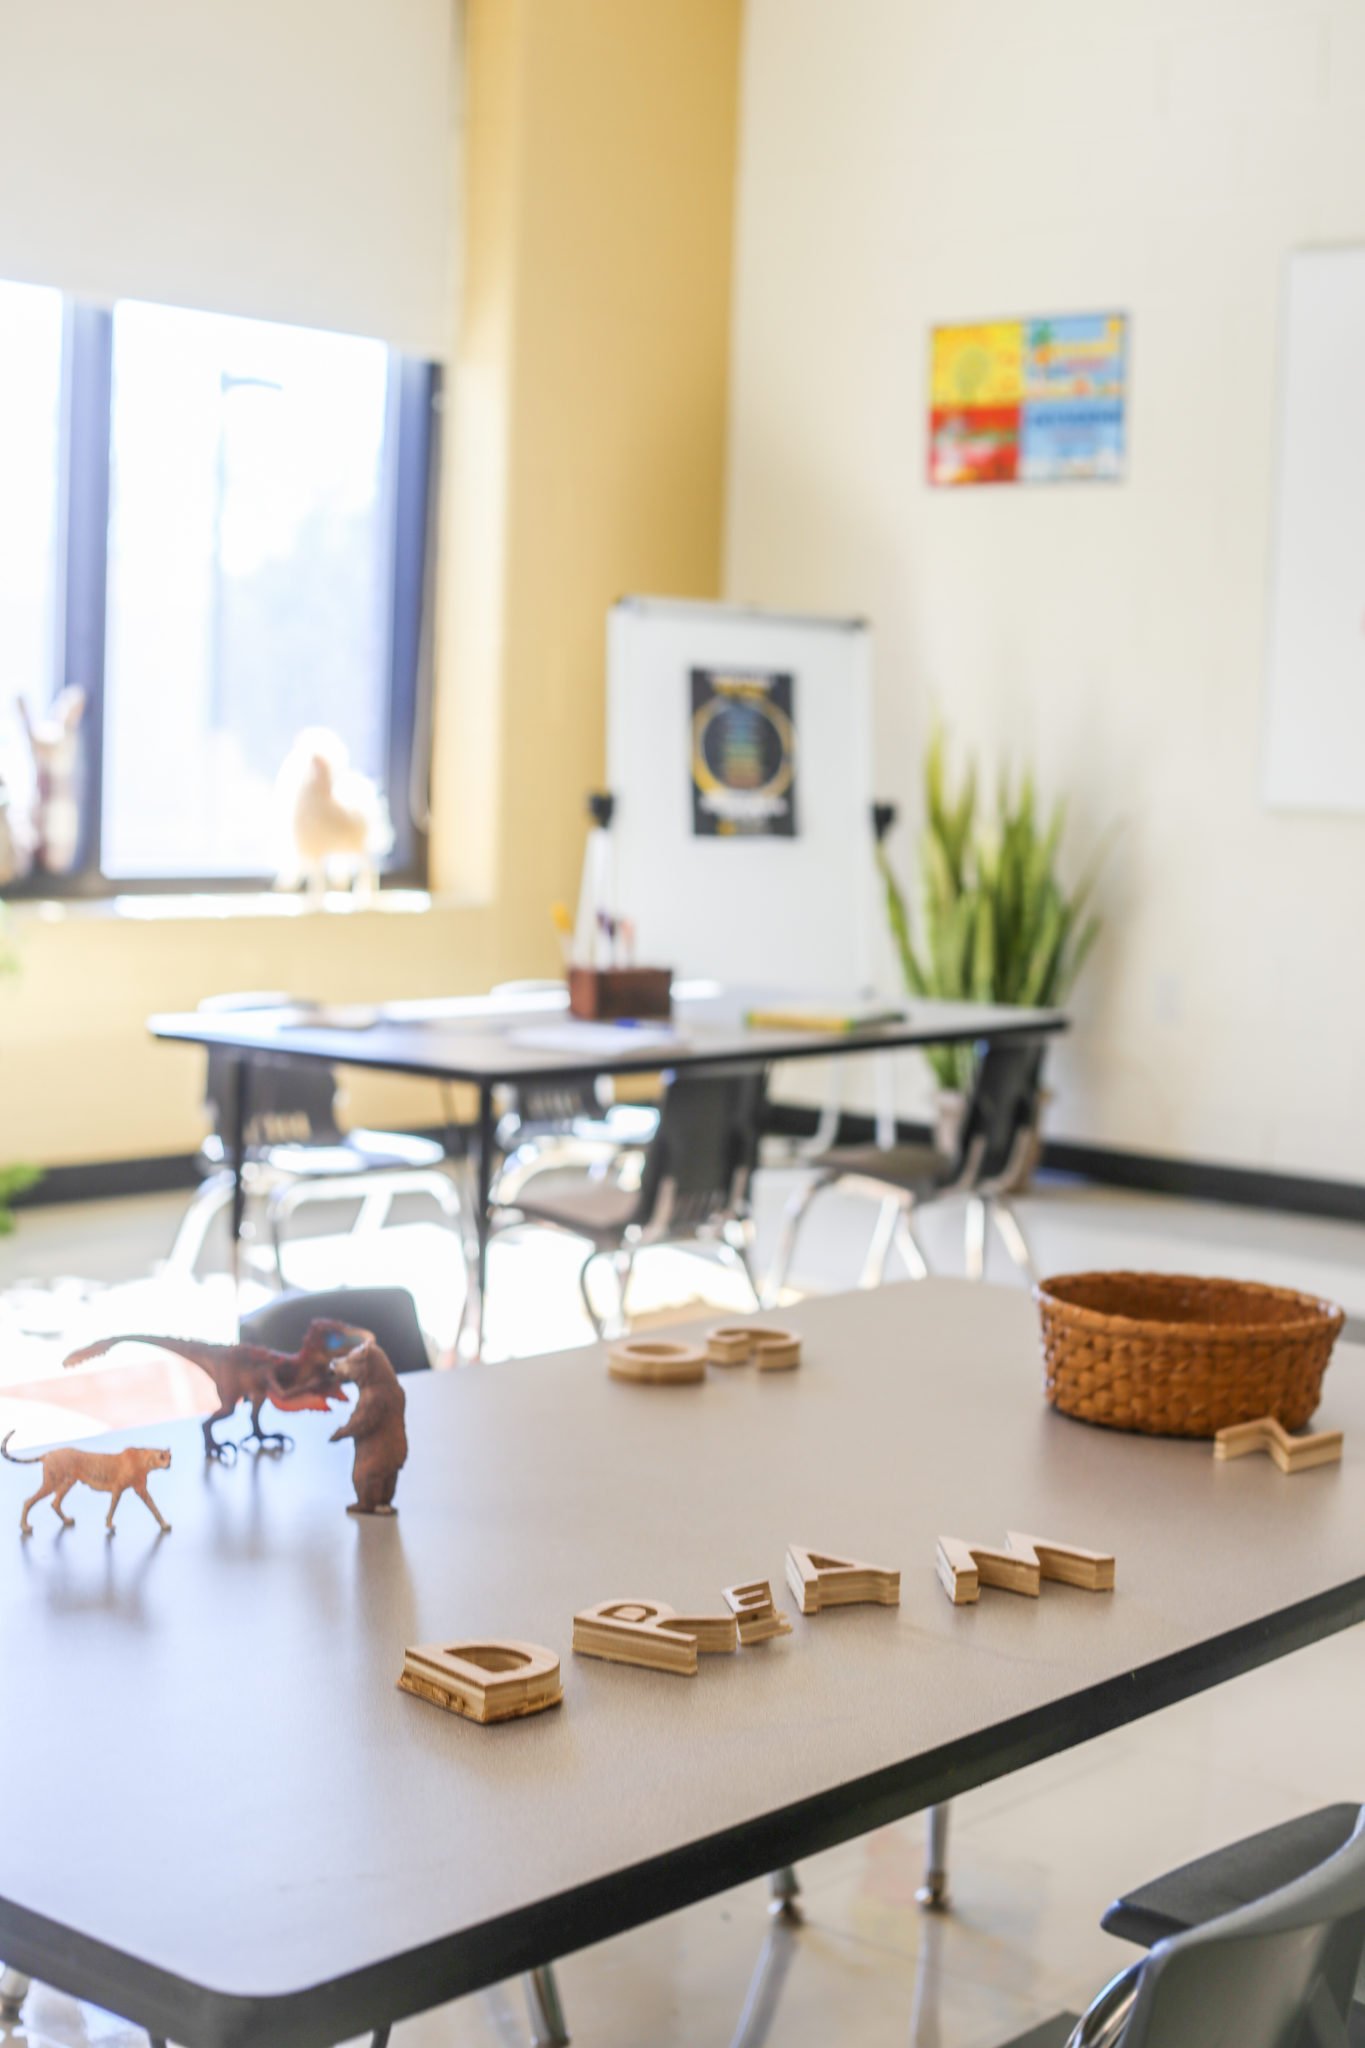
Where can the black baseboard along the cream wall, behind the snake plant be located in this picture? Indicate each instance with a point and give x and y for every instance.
(1200, 1181)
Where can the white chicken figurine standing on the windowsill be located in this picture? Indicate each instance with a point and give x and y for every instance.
(337, 820)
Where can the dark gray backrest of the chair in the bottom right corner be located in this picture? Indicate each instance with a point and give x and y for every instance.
(1274, 1975)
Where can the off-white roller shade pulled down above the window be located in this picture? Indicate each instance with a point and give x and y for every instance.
(281, 159)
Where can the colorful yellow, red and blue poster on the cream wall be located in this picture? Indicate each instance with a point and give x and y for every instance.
(1028, 400)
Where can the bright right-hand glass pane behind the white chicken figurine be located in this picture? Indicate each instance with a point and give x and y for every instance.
(251, 579)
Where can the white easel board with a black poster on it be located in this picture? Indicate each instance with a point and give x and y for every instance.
(740, 757)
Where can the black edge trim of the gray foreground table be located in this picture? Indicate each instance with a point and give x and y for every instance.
(453, 1967)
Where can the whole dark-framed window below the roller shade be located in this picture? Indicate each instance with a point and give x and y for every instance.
(243, 558)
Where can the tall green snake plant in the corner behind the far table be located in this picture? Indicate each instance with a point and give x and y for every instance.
(996, 921)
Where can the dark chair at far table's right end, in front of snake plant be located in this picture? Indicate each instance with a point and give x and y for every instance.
(996, 1144)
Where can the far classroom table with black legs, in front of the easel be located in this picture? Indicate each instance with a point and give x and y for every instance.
(496, 1041)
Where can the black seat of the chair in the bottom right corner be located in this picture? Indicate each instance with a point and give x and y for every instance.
(1229, 1879)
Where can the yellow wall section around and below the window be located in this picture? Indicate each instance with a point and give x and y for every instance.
(584, 458)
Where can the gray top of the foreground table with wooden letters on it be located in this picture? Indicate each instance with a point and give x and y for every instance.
(226, 1822)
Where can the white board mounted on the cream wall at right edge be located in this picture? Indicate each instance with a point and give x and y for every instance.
(1315, 742)
